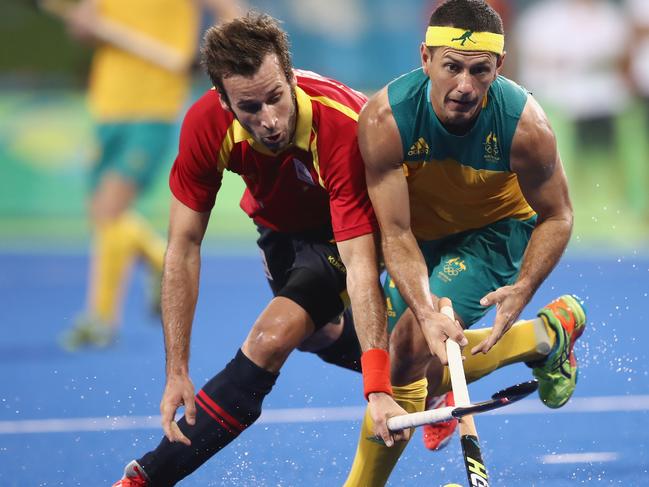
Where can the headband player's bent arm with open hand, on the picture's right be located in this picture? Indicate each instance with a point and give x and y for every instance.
(536, 162)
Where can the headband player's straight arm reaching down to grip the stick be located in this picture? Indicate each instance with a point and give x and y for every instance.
(380, 144)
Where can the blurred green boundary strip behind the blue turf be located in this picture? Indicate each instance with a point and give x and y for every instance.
(47, 143)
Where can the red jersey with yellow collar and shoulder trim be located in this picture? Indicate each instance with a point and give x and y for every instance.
(318, 181)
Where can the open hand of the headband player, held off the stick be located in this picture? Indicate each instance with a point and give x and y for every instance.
(509, 301)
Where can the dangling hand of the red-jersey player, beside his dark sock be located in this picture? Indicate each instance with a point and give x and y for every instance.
(179, 391)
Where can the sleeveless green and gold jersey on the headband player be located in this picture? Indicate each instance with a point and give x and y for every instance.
(458, 183)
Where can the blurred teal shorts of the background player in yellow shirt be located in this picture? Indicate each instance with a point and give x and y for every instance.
(134, 150)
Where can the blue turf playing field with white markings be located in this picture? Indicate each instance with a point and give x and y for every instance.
(96, 403)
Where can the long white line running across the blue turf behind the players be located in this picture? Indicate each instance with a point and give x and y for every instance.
(314, 415)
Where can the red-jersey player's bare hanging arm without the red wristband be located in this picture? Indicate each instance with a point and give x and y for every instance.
(179, 295)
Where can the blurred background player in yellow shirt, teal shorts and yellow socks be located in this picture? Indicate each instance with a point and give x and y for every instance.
(135, 95)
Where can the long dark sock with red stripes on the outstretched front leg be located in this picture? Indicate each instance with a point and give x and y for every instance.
(227, 404)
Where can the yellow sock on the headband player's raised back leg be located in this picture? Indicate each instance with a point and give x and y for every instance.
(526, 341)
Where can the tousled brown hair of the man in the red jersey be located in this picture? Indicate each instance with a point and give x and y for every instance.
(239, 47)
